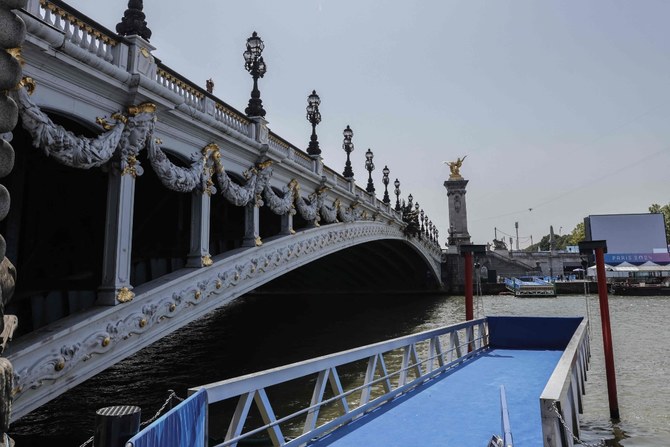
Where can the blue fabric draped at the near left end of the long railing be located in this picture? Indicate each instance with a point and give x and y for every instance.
(182, 426)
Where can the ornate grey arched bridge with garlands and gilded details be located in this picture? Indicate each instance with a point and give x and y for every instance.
(150, 202)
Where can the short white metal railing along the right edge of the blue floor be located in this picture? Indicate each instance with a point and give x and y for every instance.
(561, 400)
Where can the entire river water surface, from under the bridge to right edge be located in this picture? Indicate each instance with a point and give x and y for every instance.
(260, 332)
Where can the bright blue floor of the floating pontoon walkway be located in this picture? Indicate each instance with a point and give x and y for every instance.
(462, 408)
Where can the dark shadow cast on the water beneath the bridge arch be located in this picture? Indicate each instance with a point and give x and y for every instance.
(253, 333)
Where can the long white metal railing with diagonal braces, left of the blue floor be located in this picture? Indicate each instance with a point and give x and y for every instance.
(376, 374)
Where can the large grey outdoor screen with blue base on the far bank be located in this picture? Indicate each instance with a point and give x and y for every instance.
(628, 235)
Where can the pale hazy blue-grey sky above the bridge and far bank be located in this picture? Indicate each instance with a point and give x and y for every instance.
(562, 107)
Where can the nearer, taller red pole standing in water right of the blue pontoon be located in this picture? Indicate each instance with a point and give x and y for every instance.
(607, 334)
